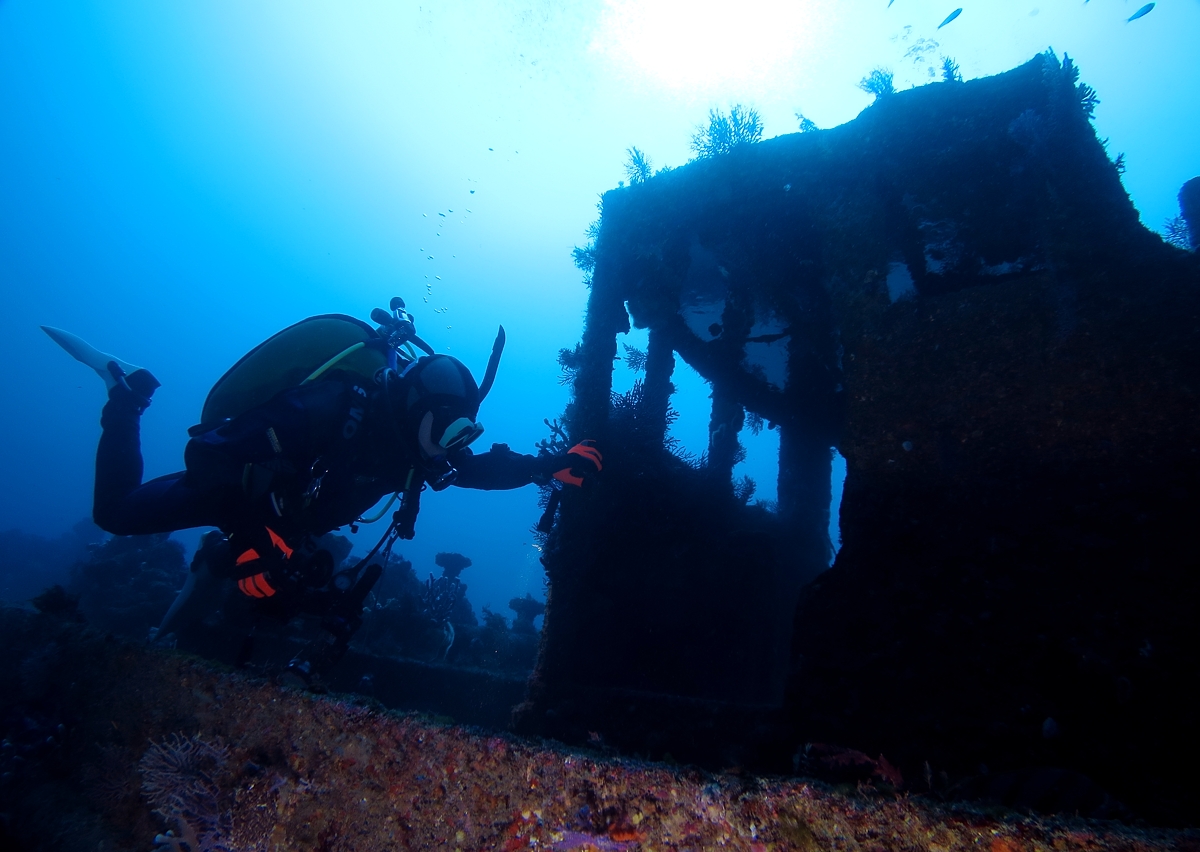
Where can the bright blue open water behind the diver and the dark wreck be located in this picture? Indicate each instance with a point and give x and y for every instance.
(178, 183)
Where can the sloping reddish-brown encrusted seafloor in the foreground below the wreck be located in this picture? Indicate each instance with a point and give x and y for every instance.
(98, 733)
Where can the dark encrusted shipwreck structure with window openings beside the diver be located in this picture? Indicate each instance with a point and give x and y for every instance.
(956, 292)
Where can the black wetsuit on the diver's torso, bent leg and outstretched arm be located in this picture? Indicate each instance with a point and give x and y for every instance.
(310, 460)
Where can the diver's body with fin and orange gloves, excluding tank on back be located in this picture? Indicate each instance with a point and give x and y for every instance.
(310, 460)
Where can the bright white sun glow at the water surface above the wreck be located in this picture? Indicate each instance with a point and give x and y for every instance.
(704, 46)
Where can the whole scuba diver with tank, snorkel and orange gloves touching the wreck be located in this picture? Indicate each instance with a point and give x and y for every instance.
(303, 436)
